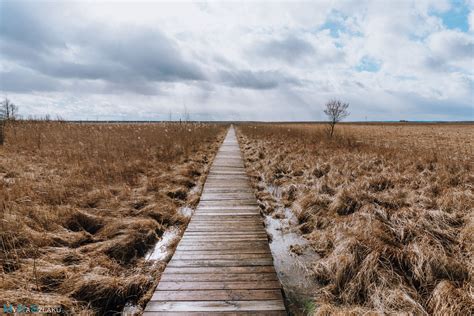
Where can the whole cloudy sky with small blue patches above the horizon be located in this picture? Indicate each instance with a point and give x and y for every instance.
(249, 60)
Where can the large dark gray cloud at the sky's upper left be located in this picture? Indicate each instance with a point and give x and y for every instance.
(112, 55)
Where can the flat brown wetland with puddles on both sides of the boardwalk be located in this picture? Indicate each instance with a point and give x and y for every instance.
(377, 219)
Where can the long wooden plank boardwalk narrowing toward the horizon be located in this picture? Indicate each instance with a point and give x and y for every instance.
(223, 264)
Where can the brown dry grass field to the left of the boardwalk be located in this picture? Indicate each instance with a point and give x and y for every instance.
(82, 203)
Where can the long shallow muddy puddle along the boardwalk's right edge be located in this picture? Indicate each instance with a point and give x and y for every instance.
(290, 257)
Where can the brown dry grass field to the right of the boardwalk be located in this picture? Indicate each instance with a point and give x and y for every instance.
(388, 207)
